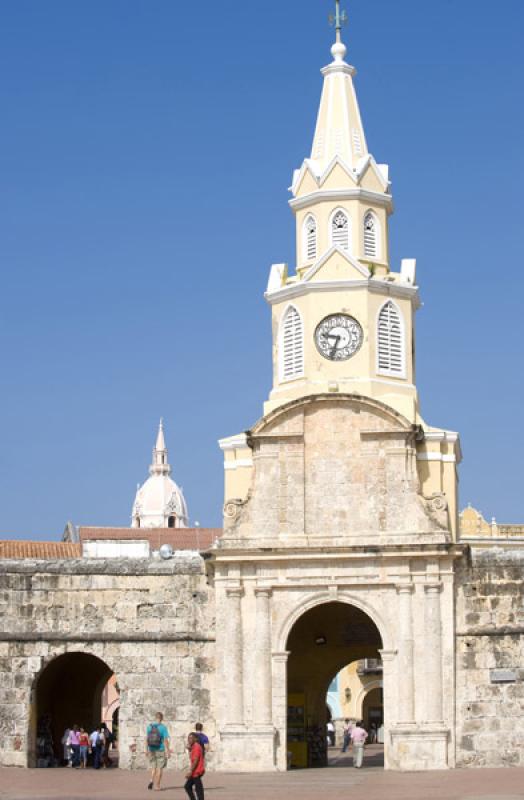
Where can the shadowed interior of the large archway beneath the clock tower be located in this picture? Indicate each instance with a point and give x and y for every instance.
(322, 641)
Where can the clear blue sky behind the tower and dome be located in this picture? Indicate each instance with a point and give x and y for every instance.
(135, 248)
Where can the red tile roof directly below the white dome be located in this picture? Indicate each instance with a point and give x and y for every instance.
(178, 538)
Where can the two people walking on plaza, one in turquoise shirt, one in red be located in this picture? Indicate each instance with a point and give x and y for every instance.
(158, 749)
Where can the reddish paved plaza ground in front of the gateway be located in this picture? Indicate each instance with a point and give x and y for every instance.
(339, 782)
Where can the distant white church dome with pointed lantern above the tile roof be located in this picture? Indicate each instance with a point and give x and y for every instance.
(159, 502)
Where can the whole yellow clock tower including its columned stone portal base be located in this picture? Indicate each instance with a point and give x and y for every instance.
(340, 512)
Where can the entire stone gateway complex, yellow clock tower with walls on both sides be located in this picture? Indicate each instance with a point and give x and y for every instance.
(341, 540)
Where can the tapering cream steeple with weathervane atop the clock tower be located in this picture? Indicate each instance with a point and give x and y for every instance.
(339, 130)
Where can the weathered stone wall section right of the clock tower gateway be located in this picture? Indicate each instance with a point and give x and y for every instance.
(490, 647)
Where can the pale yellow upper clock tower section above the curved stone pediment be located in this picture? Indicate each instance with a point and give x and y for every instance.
(343, 320)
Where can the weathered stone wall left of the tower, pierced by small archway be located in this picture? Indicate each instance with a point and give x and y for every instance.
(150, 622)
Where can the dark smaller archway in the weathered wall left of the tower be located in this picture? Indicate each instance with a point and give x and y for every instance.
(70, 690)
